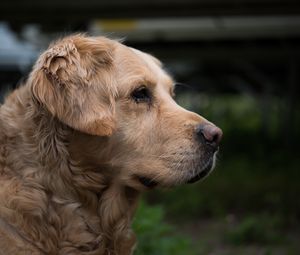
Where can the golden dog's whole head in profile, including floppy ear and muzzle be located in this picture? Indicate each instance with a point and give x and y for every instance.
(121, 101)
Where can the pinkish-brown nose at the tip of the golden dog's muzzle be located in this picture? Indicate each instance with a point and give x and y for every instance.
(209, 134)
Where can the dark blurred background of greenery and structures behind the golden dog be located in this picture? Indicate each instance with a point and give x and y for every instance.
(238, 62)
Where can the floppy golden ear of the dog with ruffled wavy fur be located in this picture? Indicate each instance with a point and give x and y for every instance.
(72, 79)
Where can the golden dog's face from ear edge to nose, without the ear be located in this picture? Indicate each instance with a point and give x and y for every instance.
(164, 143)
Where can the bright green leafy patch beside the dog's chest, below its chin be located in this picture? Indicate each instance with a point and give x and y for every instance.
(155, 236)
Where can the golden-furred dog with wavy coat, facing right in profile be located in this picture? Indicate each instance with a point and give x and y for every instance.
(94, 125)
